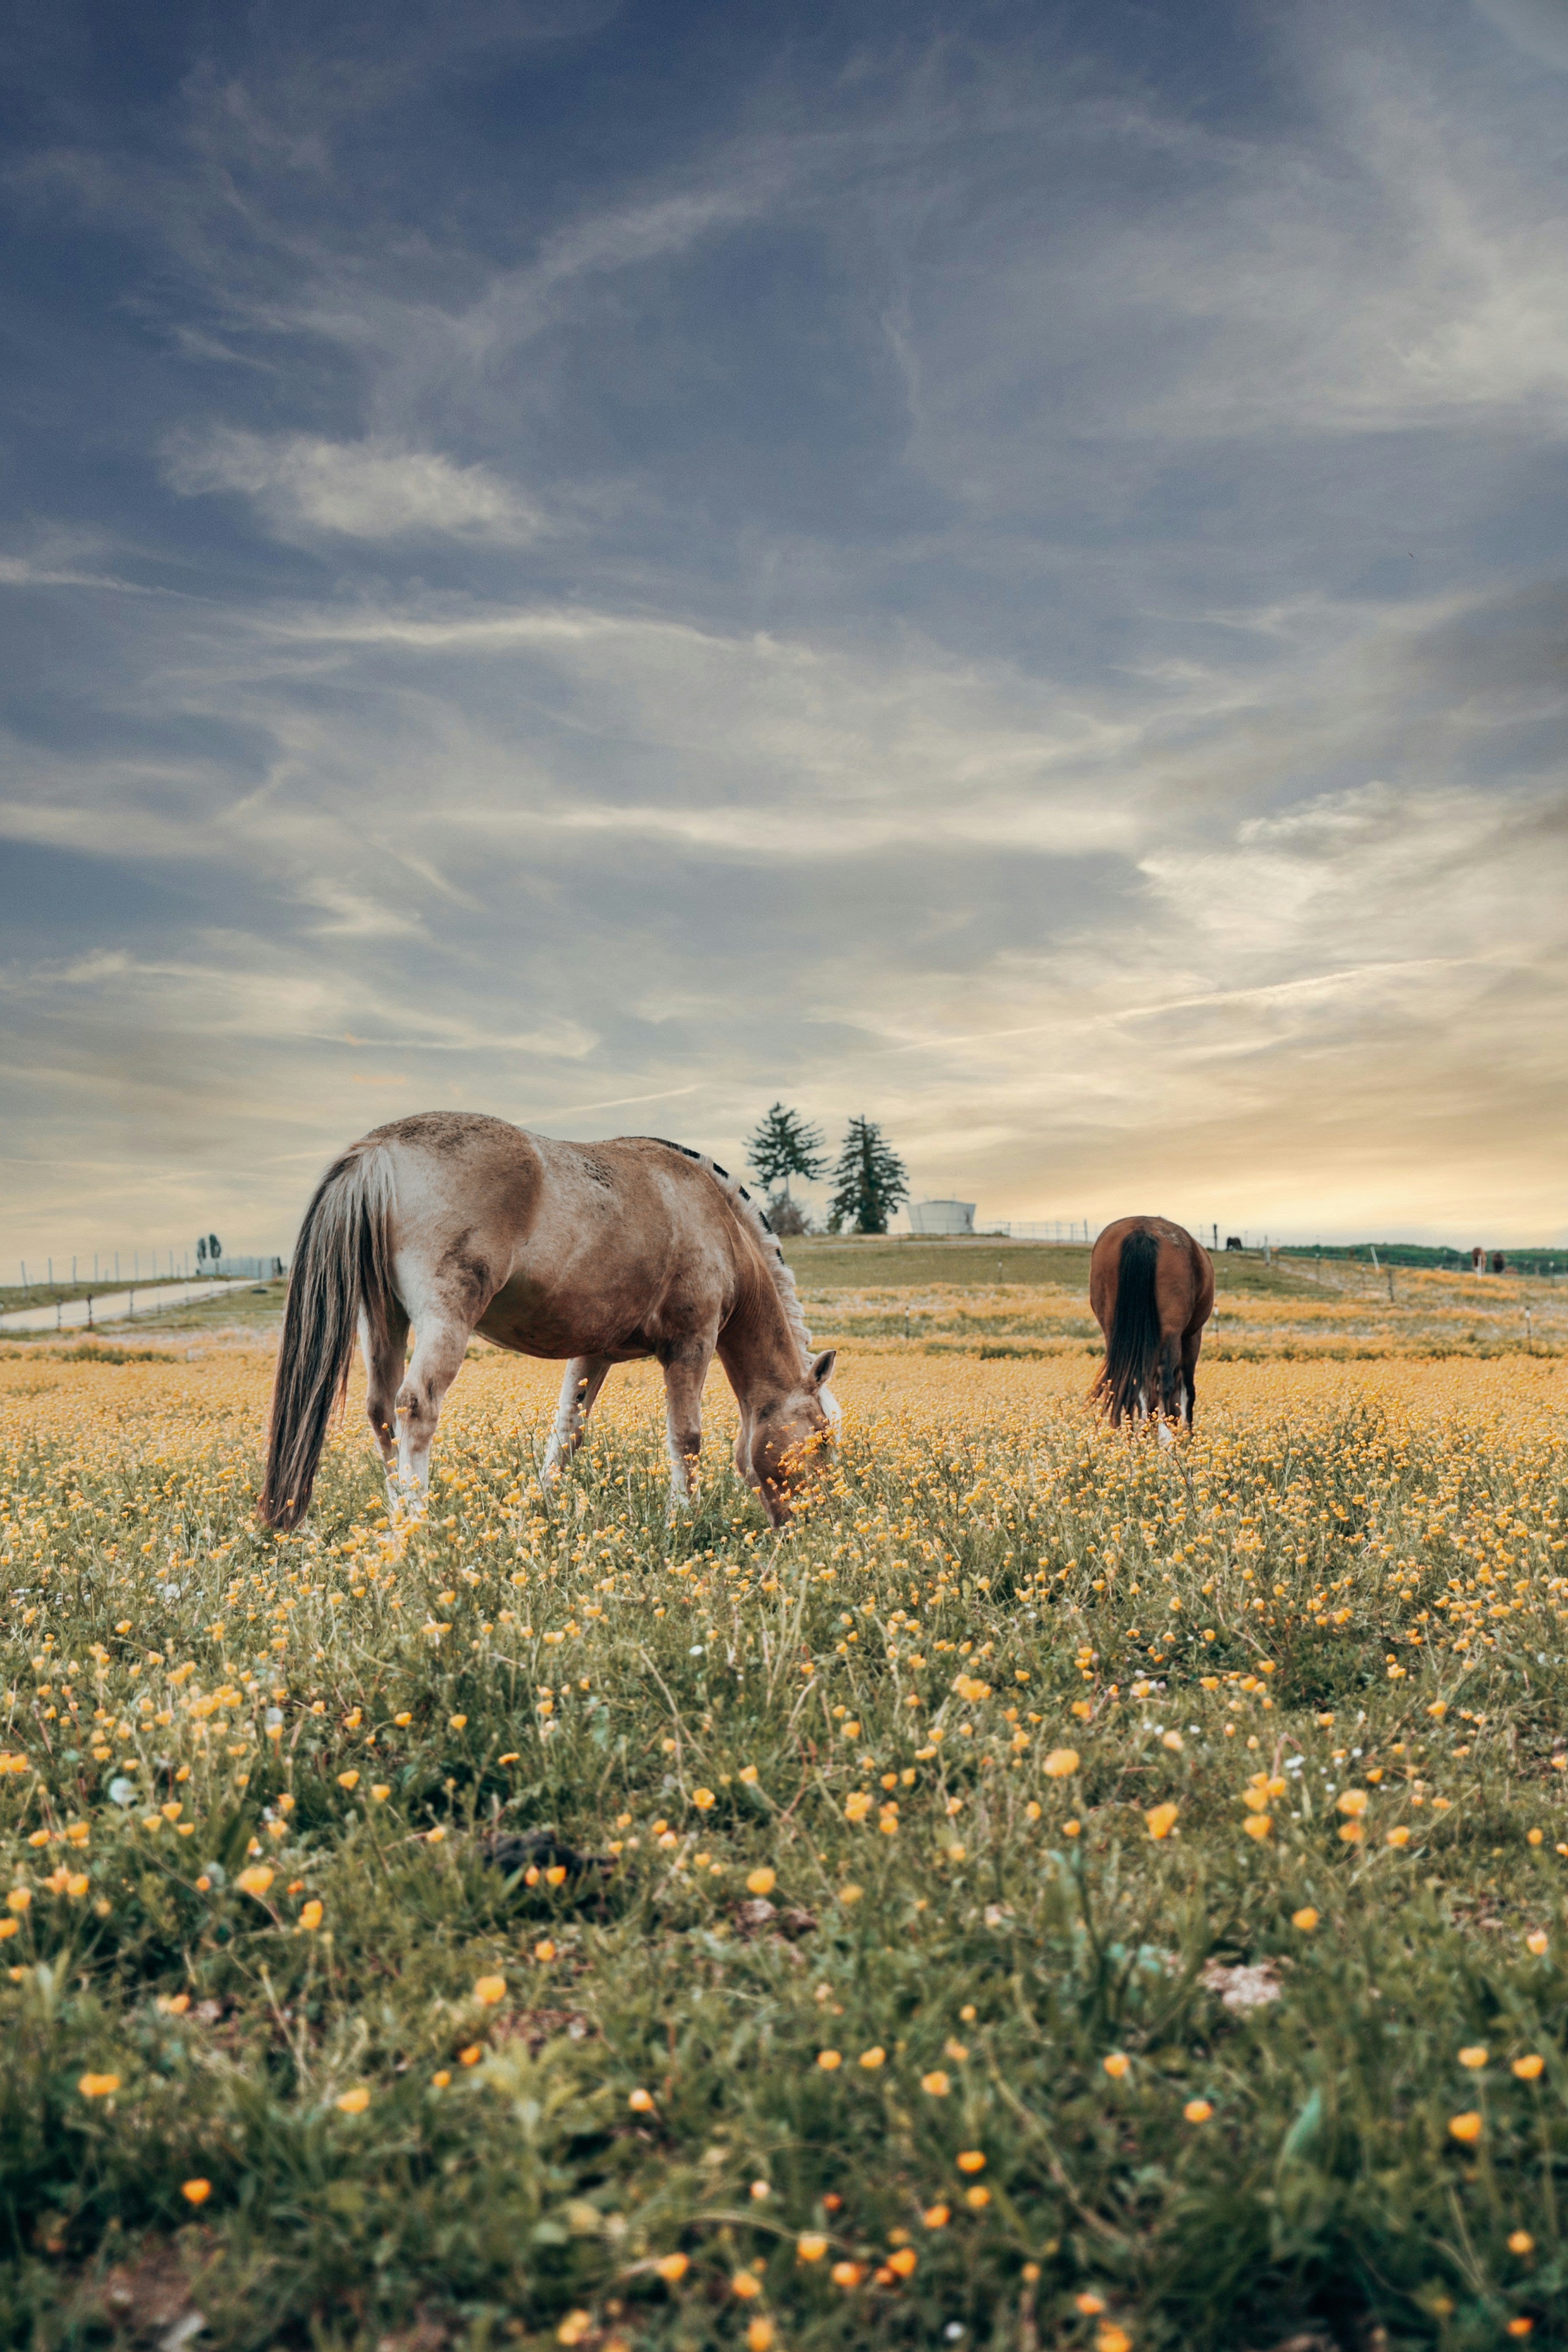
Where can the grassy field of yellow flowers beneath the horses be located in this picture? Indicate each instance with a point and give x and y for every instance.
(1068, 1892)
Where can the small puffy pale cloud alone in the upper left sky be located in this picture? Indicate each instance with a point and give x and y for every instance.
(368, 490)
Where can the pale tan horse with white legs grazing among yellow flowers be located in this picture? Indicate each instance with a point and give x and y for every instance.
(596, 1252)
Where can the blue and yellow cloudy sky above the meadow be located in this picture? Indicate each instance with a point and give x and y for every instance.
(998, 568)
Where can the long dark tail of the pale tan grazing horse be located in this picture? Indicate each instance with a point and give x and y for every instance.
(342, 1271)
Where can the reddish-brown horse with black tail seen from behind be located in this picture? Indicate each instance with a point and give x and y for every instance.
(1151, 1288)
